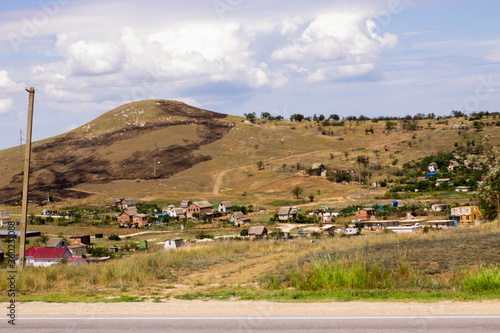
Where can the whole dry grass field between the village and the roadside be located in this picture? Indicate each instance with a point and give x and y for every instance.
(231, 265)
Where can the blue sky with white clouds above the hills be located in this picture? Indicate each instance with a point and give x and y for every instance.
(356, 57)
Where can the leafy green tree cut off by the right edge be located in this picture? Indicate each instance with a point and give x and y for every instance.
(488, 191)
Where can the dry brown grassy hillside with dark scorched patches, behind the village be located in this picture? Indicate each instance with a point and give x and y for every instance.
(206, 155)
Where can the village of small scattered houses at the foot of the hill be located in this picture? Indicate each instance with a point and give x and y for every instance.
(194, 222)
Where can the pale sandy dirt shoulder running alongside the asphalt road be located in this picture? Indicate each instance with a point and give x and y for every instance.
(174, 307)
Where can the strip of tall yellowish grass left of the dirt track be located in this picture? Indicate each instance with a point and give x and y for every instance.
(136, 271)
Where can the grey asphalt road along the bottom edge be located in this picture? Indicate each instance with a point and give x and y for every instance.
(441, 324)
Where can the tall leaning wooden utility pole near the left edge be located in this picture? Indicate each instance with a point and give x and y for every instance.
(26, 177)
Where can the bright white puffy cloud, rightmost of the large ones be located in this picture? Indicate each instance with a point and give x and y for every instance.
(346, 38)
